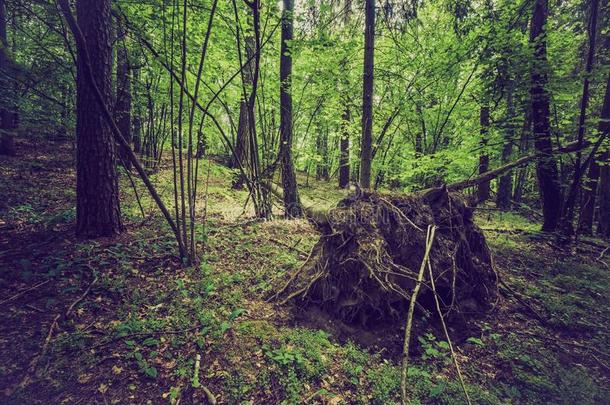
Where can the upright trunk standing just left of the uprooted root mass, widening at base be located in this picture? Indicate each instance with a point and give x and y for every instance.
(292, 203)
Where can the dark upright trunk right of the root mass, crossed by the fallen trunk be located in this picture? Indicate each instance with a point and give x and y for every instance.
(546, 166)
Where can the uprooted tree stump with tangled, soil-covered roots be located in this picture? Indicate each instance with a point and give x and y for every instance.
(365, 265)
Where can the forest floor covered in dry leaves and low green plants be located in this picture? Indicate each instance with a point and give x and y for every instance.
(120, 321)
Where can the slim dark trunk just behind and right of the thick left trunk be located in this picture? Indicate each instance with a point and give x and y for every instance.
(122, 110)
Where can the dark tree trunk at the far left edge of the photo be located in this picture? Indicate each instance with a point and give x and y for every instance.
(7, 121)
